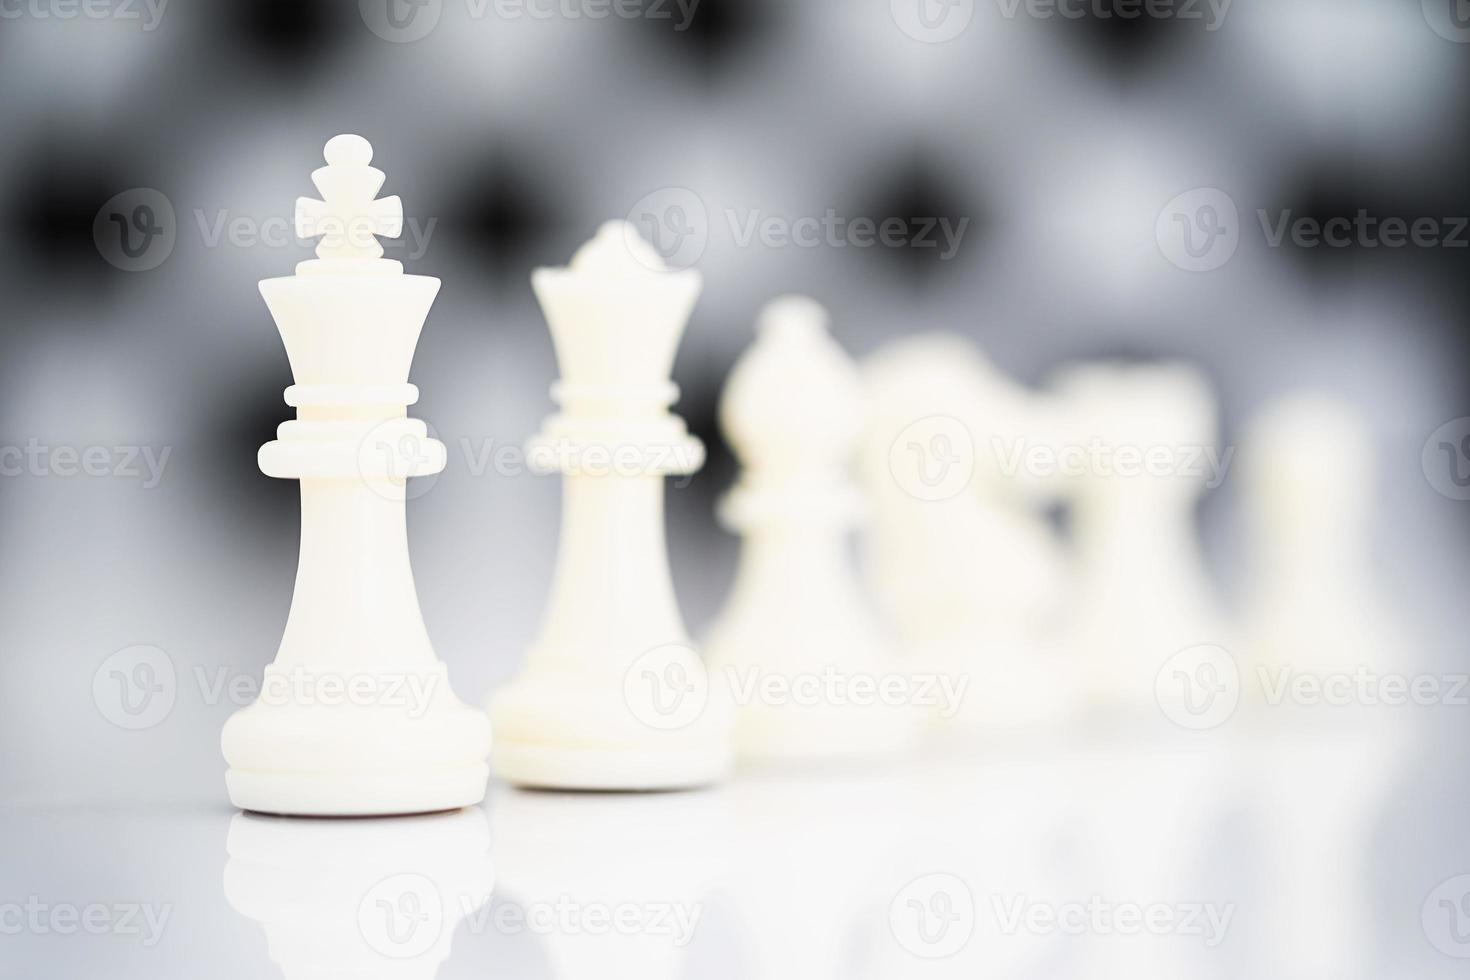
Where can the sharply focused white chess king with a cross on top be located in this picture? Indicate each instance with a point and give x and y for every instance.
(356, 715)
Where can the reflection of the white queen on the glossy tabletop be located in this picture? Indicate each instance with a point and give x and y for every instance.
(611, 887)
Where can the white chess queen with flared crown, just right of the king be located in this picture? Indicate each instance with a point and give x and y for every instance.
(614, 696)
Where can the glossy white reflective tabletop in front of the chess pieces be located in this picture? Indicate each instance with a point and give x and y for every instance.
(862, 873)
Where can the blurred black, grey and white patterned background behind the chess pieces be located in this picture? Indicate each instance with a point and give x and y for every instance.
(1058, 142)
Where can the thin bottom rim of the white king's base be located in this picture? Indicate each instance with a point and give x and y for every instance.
(358, 794)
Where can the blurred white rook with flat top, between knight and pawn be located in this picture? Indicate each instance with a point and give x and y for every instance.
(1140, 453)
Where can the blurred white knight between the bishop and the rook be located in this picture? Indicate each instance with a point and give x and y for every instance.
(961, 558)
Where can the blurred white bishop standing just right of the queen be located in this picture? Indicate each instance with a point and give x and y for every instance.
(797, 624)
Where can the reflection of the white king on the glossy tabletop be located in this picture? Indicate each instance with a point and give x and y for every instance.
(365, 898)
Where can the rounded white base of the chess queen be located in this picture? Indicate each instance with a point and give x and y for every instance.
(587, 740)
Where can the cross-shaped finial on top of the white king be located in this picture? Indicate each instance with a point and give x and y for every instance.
(349, 218)
